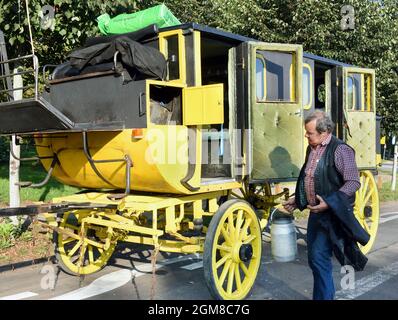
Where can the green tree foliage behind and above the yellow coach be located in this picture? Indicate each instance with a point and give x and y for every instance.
(314, 24)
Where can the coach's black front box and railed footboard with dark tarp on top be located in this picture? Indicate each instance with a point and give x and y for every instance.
(72, 101)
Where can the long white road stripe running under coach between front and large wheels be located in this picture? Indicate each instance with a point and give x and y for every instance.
(118, 279)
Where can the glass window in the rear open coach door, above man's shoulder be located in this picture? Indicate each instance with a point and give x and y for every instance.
(359, 92)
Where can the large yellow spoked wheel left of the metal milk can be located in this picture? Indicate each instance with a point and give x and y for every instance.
(232, 251)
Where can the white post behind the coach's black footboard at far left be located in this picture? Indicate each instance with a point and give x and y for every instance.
(15, 199)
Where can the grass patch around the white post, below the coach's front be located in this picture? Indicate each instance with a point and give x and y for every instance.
(32, 172)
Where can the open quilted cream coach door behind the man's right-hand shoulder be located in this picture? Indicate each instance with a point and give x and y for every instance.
(360, 114)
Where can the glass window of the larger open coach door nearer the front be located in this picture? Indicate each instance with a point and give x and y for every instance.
(279, 76)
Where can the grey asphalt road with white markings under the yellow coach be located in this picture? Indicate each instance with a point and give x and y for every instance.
(129, 275)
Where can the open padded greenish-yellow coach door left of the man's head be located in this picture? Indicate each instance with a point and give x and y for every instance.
(275, 110)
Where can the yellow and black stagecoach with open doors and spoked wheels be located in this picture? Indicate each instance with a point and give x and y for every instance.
(190, 160)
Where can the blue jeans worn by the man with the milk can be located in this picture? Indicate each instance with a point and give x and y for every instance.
(320, 258)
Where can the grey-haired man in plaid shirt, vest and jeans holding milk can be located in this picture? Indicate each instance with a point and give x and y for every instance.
(329, 168)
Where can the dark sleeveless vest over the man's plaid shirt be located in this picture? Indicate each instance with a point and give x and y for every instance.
(327, 179)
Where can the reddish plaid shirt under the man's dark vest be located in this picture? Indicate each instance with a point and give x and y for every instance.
(344, 159)
